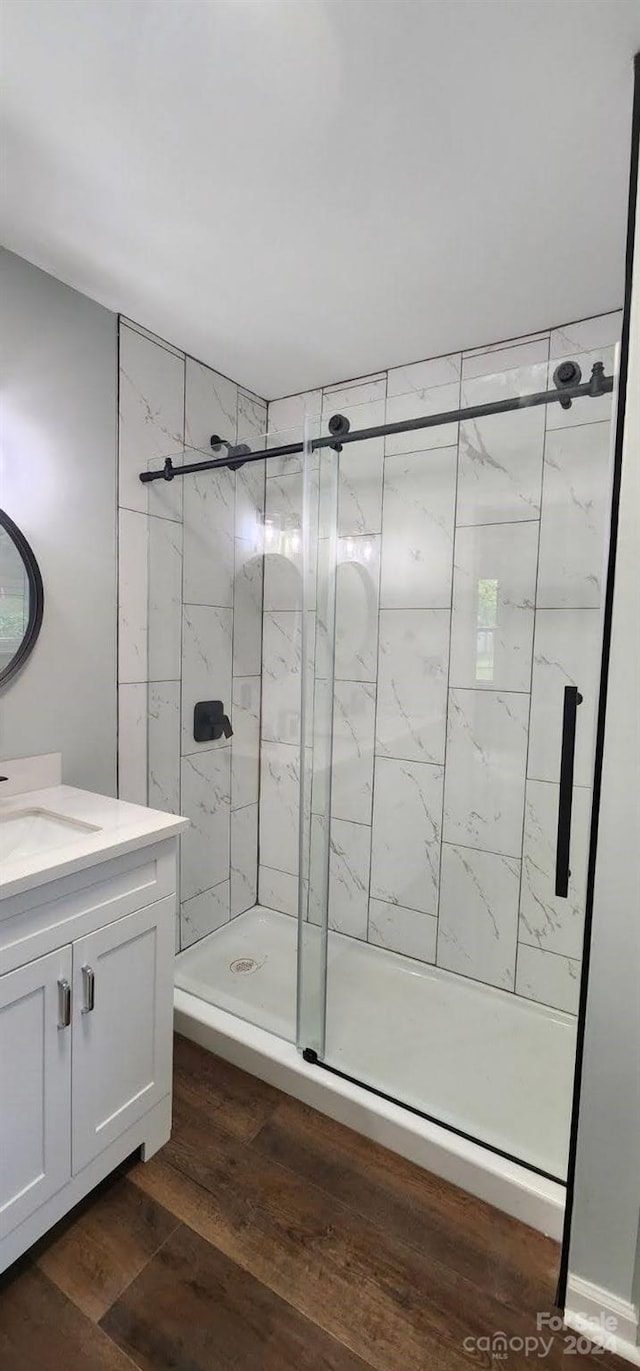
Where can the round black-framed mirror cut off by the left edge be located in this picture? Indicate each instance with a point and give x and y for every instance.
(21, 598)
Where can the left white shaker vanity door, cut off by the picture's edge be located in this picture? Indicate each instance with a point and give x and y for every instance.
(35, 1085)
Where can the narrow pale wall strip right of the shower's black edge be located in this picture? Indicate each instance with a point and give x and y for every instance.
(605, 1230)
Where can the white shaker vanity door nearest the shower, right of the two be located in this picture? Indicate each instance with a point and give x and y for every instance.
(123, 1026)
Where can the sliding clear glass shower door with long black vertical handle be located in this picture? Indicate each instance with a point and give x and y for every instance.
(468, 597)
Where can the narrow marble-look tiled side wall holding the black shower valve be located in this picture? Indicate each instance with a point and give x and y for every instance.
(191, 586)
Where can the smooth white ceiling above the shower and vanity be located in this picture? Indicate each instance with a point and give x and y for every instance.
(299, 191)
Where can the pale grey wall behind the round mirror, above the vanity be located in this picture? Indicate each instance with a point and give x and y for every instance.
(58, 485)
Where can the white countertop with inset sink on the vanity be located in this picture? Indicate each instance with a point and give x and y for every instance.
(119, 829)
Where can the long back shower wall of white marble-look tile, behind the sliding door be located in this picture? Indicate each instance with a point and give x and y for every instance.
(469, 594)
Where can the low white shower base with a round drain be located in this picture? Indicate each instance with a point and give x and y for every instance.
(482, 1060)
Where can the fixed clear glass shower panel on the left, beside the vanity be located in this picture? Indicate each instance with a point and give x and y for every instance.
(239, 634)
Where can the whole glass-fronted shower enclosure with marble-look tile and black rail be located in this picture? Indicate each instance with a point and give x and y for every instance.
(387, 862)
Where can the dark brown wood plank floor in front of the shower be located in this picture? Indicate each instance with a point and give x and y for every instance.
(267, 1237)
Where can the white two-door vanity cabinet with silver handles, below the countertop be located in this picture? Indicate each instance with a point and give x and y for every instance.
(86, 1033)
